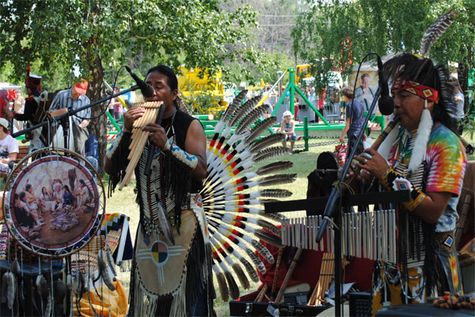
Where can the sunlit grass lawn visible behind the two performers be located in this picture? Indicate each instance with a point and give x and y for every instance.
(304, 162)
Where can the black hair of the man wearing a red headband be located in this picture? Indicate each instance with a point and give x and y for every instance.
(424, 71)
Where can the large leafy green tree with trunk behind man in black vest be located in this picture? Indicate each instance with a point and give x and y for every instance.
(100, 35)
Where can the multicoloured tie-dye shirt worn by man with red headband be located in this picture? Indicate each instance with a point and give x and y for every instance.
(446, 162)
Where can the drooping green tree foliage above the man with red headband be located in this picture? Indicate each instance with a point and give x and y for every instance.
(337, 34)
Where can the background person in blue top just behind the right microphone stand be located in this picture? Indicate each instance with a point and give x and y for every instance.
(354, 120)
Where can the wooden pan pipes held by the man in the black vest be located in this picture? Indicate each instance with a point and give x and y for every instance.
(139, 137)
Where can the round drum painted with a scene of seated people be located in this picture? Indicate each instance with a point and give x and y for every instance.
(54, 205)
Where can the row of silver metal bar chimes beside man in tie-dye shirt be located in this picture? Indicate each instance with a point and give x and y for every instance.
(370, 235)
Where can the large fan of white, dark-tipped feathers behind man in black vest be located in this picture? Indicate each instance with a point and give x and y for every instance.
(235, 190)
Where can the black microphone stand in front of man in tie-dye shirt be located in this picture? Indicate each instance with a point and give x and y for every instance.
(333, 202)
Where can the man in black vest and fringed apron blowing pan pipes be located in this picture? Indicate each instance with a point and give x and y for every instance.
(171, 270)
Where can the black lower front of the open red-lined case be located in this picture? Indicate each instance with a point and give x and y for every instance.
(272, 309)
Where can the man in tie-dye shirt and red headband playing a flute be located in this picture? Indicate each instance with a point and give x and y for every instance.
(424, 155)
